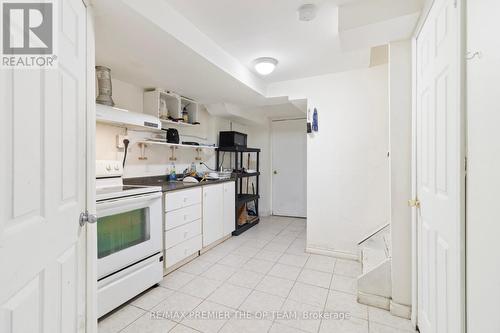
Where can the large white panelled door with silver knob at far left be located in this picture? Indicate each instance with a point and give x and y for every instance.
(42, 187)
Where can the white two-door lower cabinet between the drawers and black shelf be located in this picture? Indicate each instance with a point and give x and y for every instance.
(218, 212)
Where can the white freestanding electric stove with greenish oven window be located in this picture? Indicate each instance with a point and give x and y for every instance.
(129, 237)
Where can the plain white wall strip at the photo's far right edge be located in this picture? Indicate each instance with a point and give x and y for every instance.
(483, 175)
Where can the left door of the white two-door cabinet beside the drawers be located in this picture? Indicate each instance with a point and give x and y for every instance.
(212, 213)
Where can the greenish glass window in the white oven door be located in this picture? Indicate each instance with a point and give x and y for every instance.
(120, 231)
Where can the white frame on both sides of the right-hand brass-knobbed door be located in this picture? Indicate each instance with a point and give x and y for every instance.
(461, 5)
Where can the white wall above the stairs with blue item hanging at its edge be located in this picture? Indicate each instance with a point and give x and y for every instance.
(348, 168)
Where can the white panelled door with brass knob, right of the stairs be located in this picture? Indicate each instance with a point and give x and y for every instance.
(440, 171)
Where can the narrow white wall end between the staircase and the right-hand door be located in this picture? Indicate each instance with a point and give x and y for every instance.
(400, 101)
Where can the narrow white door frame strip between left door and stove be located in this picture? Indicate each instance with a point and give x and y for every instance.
(91, 229)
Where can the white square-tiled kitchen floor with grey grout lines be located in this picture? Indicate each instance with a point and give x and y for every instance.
(264, 269)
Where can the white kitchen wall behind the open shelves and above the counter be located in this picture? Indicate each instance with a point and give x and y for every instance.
(129, 96)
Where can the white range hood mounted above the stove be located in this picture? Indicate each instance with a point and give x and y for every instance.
(124, 118)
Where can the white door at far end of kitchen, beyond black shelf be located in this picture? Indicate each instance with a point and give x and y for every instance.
(289, 161)
